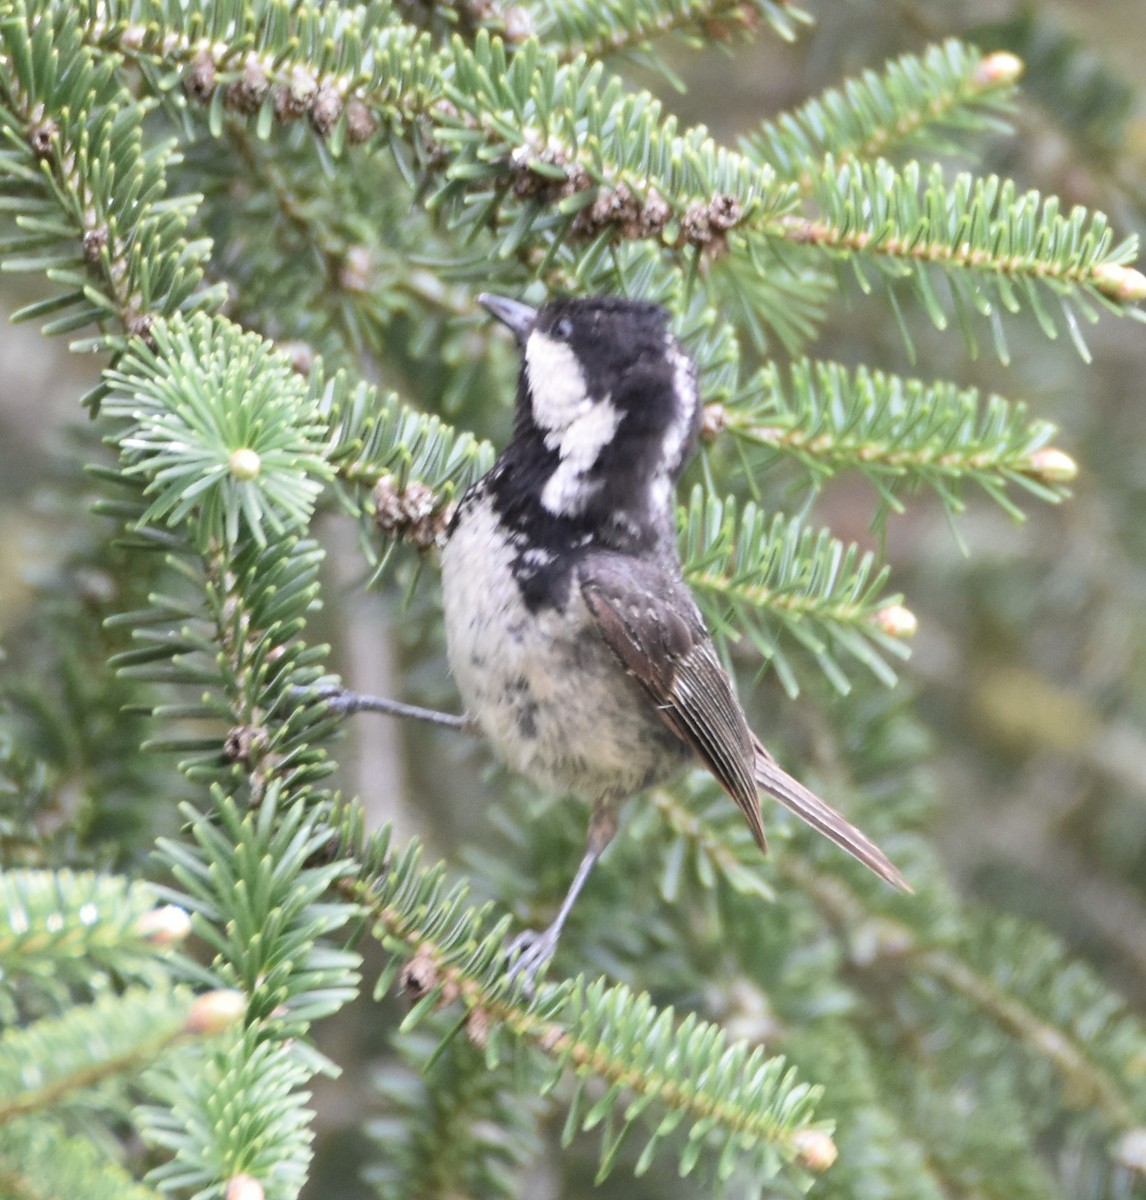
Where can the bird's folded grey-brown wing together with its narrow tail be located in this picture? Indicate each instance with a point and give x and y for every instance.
(650, 621)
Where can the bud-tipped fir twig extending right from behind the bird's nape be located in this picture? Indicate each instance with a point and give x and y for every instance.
(898, 433)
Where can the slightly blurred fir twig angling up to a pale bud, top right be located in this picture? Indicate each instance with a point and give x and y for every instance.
(908, 106)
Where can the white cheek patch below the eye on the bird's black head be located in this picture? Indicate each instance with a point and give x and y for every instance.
(575, 424)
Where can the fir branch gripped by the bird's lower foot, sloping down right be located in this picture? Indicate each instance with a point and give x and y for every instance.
(741, 1105)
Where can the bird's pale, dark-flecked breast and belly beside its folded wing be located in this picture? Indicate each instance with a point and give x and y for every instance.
(544, 687)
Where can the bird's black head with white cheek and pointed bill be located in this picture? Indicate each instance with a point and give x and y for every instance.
(608, 398)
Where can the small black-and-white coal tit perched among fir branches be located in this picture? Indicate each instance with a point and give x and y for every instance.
(574, 639)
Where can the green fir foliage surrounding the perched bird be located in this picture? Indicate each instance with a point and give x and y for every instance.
(269, 221)
